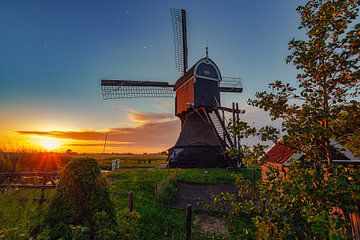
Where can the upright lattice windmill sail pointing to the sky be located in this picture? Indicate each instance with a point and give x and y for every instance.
(178, 17)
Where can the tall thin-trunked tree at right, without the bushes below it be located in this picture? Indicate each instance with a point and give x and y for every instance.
(328, 82)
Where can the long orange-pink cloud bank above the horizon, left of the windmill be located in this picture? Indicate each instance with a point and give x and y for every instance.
(153, 130)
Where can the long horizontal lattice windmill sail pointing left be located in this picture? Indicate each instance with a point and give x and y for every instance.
(115, 89)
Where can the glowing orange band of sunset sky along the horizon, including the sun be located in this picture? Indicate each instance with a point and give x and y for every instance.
(146, 133)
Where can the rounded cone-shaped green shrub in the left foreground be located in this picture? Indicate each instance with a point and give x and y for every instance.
(82, 199)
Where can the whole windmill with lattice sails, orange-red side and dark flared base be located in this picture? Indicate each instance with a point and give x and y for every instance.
(204, 136)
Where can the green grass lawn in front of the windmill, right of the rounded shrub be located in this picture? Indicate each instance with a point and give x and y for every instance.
(158, 221)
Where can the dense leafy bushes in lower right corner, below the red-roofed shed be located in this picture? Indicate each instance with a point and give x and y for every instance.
(300, 206)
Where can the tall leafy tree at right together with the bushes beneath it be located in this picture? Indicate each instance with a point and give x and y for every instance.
(322, 106)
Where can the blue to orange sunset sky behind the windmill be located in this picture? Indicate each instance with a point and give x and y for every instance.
(53, 55)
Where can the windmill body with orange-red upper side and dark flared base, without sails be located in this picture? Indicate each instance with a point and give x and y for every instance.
(197, 93)
